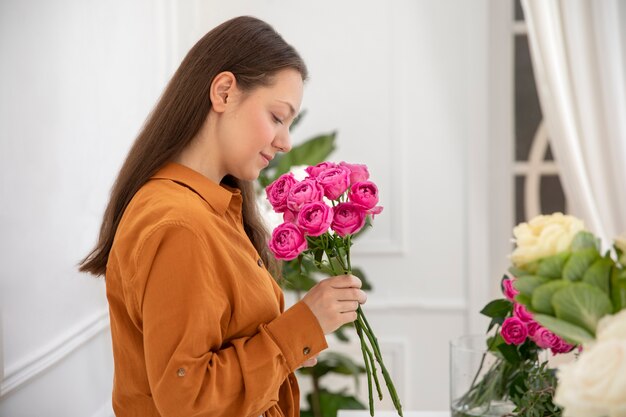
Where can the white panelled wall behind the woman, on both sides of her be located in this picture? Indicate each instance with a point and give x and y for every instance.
(405, 83)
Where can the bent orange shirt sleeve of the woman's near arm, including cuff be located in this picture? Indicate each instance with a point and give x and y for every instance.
(184, 308)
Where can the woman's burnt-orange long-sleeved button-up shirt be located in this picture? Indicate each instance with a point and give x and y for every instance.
(198, 324)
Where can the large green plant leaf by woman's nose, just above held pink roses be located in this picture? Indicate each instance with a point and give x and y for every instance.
(311, 152)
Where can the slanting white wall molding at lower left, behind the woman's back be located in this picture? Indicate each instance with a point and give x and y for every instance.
(34, 364)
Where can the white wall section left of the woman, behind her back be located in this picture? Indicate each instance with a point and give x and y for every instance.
(77, 79)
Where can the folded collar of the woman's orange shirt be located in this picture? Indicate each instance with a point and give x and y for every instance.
(218, 196)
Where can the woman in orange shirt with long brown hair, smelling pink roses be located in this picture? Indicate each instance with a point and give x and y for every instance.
(198, 324)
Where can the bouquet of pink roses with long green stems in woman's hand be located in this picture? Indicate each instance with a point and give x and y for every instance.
(321, 214)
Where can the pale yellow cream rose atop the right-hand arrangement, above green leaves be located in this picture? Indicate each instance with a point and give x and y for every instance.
(543, 236)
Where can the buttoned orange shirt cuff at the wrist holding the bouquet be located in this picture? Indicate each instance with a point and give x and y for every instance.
(298, 334)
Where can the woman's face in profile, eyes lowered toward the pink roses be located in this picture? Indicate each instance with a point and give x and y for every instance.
(255, 125)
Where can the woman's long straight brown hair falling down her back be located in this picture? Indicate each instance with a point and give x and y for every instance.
(253, 51)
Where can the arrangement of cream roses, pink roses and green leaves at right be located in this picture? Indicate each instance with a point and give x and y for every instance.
(560, 294)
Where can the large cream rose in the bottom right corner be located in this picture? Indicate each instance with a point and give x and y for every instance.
(595, 384)
